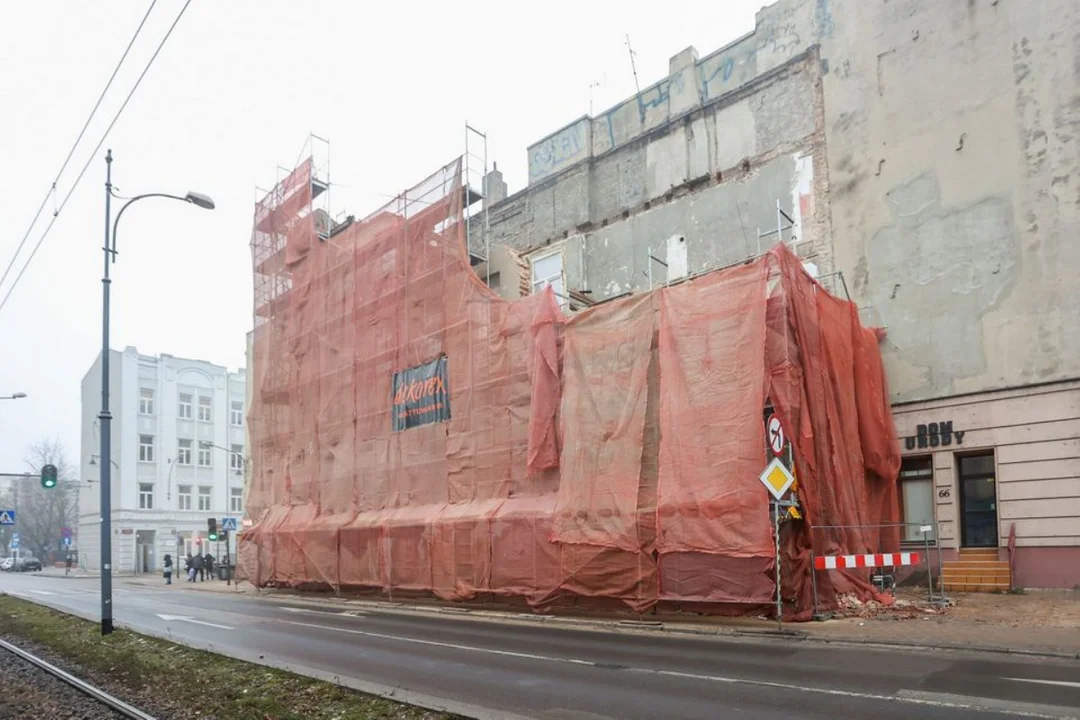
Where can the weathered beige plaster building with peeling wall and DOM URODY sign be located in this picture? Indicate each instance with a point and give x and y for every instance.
(928, 153)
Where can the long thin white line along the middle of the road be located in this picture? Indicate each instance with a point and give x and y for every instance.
(690, 676)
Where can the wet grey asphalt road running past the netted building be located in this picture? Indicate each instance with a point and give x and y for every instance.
(495, 670)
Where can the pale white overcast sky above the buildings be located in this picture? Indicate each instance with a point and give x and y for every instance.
(235, 93)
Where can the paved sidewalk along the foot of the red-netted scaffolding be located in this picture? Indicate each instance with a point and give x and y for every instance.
(1046, 622)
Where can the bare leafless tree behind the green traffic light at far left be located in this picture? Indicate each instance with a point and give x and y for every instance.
(43, 513)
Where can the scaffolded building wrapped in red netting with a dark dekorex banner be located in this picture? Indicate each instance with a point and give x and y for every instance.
(413, 432)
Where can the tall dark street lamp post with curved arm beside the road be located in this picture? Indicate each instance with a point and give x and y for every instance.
(106, 417)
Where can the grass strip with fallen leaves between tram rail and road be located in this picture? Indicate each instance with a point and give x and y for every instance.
(172, 681)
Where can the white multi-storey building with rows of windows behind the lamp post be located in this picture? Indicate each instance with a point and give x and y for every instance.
(179, 457)
